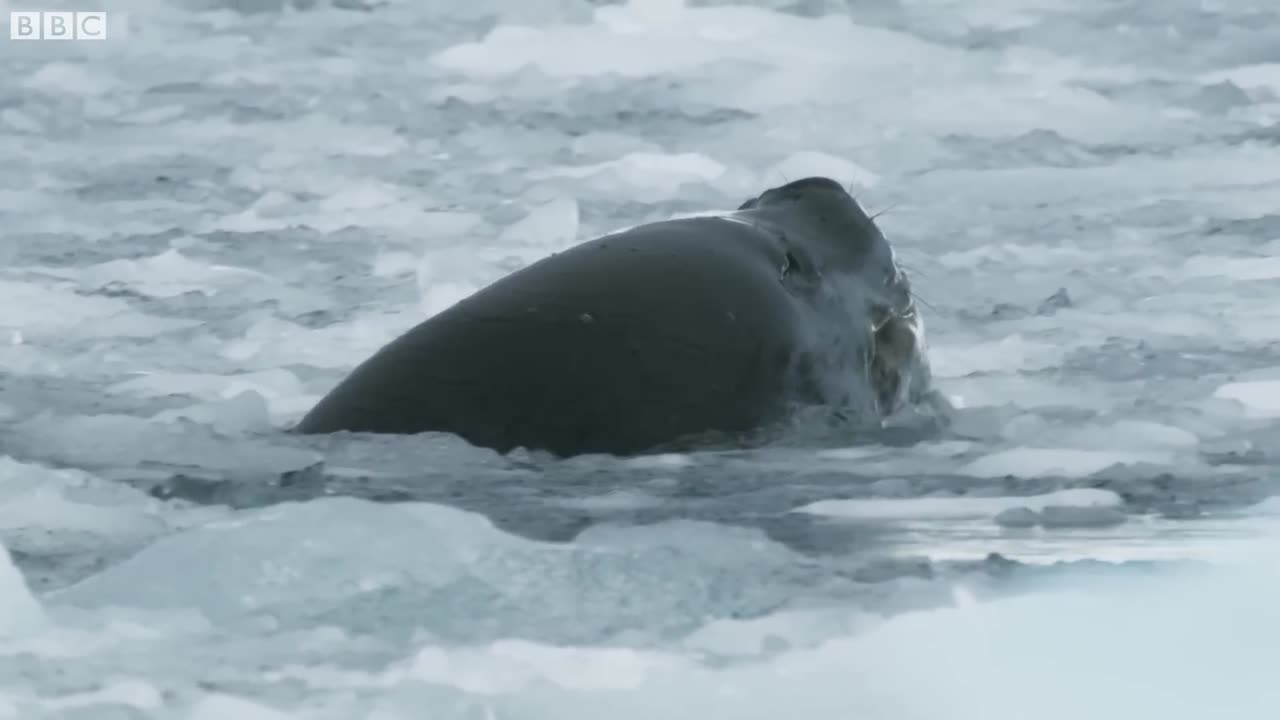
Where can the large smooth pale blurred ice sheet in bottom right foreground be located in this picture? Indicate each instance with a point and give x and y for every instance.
(977, 660)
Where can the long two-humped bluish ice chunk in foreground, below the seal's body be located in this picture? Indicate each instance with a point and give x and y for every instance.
(318, 563)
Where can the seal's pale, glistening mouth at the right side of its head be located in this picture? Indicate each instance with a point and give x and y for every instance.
(895, 340)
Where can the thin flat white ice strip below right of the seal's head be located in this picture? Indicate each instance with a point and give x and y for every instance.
(945, 508)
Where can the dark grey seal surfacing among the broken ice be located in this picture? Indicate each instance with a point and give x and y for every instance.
(657, 335)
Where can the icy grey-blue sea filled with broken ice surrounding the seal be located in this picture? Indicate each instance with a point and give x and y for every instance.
(212, 217)
